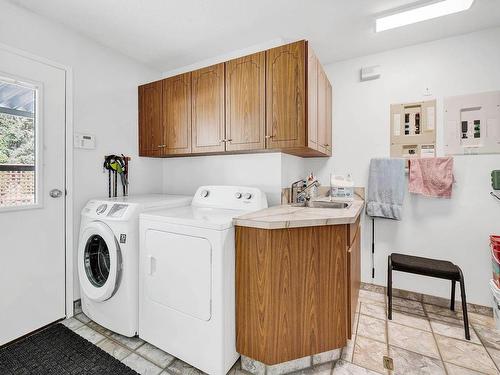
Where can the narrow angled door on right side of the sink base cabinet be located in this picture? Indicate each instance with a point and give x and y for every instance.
(354, 275)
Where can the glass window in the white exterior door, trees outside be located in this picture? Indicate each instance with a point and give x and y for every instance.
(18, 155)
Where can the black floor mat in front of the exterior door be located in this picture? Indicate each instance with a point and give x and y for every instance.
(58, 350)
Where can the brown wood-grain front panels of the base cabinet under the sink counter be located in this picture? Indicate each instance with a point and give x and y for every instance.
(293, 291)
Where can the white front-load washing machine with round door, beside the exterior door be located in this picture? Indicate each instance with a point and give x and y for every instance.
(108, 258)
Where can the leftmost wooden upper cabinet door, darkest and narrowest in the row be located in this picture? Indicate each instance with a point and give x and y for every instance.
(150, 119)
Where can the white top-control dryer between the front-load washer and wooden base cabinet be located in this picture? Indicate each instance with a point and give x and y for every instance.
(187, 276)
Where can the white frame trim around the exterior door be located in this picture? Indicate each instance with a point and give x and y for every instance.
(68, 170)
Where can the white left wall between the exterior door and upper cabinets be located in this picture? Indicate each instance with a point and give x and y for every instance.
(104, 101)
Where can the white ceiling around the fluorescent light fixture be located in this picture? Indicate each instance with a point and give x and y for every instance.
(169, 34)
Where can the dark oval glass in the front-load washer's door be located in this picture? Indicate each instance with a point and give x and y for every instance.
(97, 260)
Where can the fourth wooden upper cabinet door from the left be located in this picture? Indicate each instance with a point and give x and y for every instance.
(246, 103)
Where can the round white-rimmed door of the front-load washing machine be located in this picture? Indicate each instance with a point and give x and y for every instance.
(99, 261)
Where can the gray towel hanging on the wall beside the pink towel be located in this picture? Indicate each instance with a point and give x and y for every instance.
(386, 188)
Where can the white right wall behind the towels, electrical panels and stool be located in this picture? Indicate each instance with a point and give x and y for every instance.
(455, 229)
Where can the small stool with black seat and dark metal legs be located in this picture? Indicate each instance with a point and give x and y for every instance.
(441, 269)
